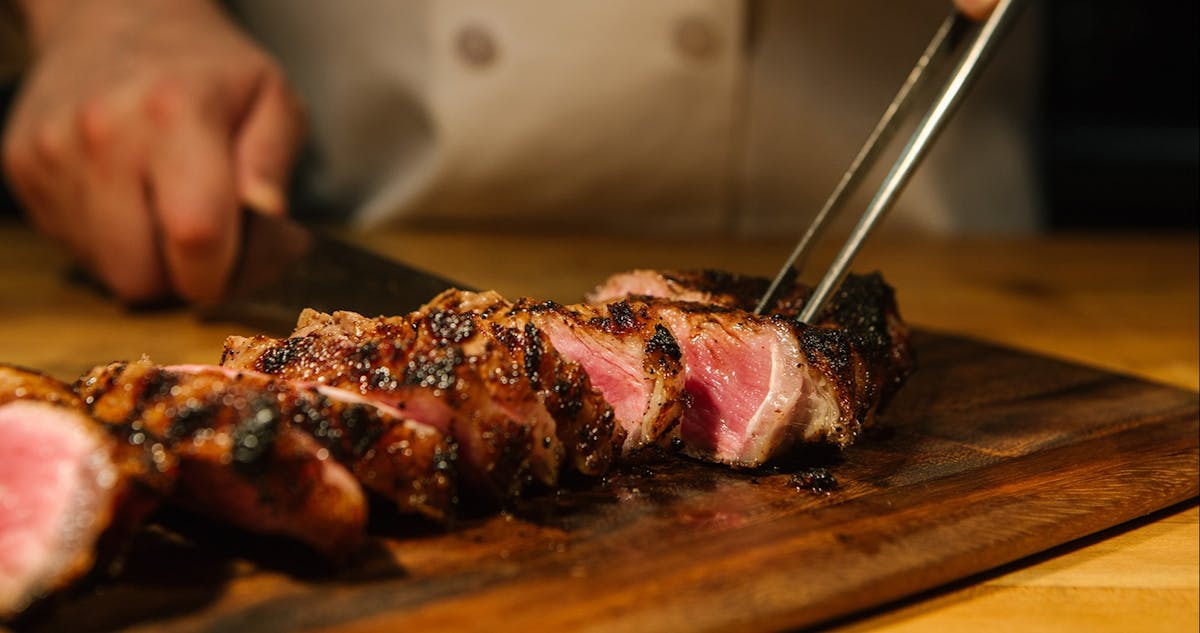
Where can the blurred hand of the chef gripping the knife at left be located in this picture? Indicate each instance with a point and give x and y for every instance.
(141, 131)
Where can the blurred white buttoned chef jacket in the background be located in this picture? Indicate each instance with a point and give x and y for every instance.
(634, 116)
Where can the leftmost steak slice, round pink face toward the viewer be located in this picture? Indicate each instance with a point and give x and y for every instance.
(69, 493)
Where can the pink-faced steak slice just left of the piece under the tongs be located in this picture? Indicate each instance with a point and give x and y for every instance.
(631, 357)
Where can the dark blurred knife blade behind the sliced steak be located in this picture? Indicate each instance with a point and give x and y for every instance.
(286, 267)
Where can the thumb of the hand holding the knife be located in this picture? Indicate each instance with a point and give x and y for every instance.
(267, 147)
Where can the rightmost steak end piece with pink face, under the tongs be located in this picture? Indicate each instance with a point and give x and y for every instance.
(760, 384)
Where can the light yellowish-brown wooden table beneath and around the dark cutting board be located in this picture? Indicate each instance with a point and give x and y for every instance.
(1125, 304)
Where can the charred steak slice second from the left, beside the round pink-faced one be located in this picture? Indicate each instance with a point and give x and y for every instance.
(241, 461)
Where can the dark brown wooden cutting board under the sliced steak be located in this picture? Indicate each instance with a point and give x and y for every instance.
(987, 456)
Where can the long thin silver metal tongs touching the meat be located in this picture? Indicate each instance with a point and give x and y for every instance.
(951, 38)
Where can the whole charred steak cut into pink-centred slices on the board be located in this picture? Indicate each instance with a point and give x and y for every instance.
(471, 397)
